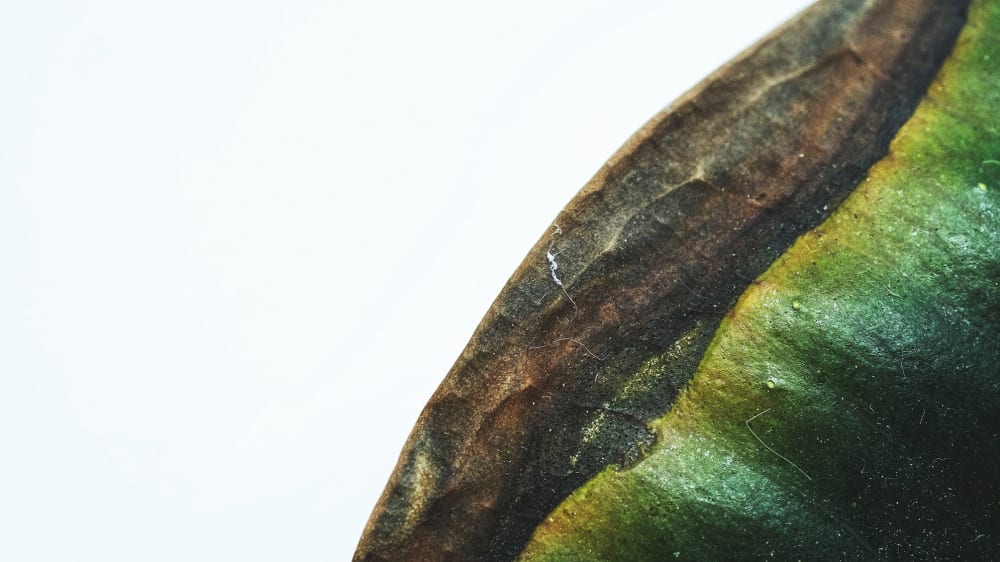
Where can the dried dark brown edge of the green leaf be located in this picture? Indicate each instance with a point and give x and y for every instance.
(607, 319)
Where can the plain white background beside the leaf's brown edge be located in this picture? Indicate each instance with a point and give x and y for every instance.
(243, 242)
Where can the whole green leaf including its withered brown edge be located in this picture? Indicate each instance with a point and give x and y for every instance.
(568, 399)
